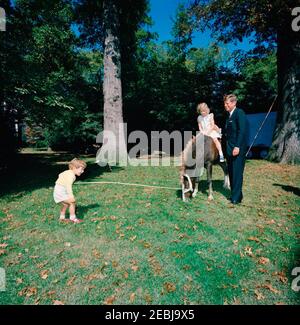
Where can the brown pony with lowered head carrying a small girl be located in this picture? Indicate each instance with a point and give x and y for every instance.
(199, 153)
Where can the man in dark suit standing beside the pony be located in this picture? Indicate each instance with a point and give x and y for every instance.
(236, 146)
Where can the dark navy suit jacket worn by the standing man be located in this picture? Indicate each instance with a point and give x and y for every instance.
(236, 132)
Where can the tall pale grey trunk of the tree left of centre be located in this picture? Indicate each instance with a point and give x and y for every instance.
(112, 88)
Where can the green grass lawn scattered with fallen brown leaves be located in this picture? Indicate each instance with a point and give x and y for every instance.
(144, 245)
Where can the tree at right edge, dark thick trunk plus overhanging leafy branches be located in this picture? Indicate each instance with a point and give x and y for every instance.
(271, 21)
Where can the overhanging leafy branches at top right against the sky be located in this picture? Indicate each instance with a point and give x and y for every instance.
(235, 19)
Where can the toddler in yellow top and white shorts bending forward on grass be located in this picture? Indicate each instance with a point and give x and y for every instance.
(63, 192)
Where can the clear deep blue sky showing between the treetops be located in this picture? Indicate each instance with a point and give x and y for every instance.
(162, 11)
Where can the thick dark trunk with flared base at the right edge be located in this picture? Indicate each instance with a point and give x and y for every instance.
(286, 141)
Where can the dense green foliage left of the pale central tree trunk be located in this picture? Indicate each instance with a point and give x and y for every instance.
(52, 84)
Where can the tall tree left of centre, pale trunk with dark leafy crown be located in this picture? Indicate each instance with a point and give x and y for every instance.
(111, 25)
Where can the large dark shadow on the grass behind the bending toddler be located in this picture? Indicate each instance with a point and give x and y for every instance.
(32, 171)
